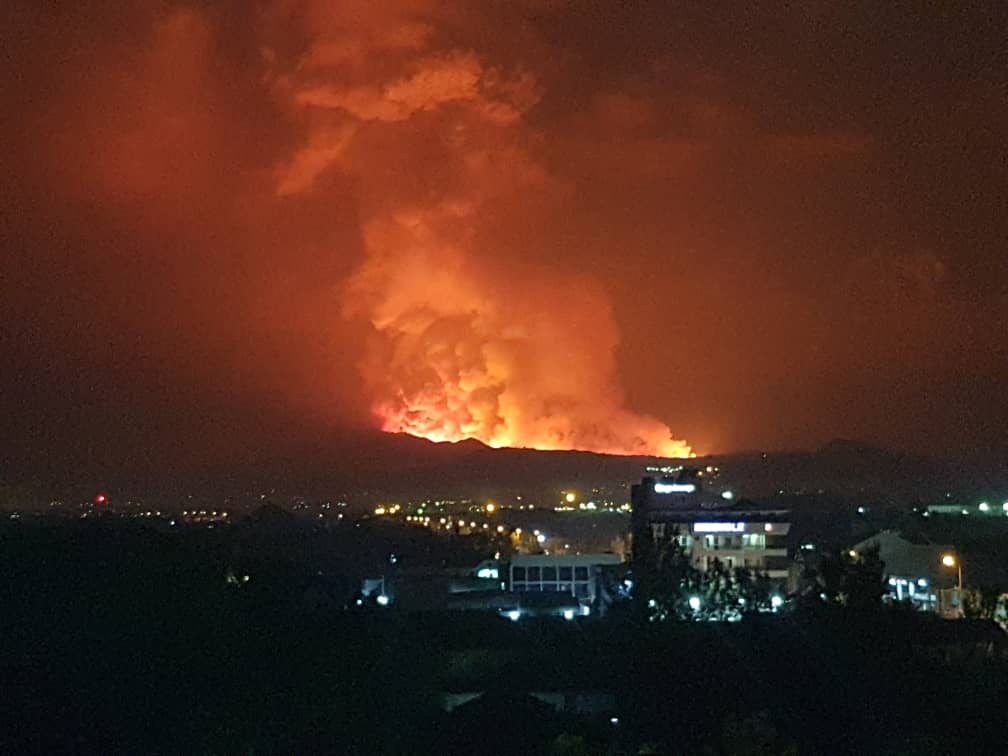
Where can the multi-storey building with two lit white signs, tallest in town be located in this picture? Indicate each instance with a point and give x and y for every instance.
(709, 526)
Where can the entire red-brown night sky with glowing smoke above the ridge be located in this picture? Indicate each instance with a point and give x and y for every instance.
(557, 224)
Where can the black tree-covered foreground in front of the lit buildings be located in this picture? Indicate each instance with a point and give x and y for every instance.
(120, 640)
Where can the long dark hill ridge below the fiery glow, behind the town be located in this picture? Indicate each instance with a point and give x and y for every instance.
(373, 465)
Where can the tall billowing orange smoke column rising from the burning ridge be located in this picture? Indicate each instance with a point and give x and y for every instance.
(472, 338)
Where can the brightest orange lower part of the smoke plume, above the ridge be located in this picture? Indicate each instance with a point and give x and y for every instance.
(464, 349)
